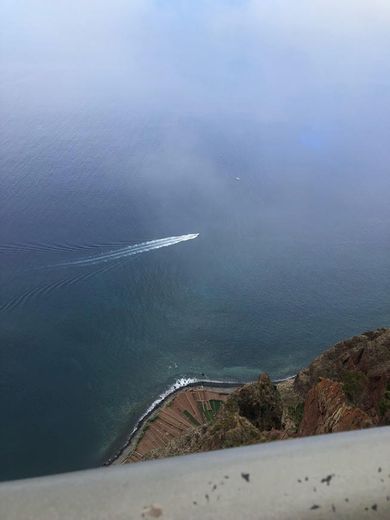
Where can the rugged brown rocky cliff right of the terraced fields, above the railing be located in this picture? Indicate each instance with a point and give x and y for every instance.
(345, 388)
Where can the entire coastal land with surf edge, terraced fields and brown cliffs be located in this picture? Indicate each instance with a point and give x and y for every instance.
(347, 387)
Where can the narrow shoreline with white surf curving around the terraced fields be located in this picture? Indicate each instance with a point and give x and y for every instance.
(180, 385)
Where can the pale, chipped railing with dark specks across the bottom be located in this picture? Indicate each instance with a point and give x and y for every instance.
(344, 475)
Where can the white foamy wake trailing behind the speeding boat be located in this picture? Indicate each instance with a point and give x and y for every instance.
(135, 249)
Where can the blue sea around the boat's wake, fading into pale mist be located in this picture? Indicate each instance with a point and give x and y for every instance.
(263, 129)
